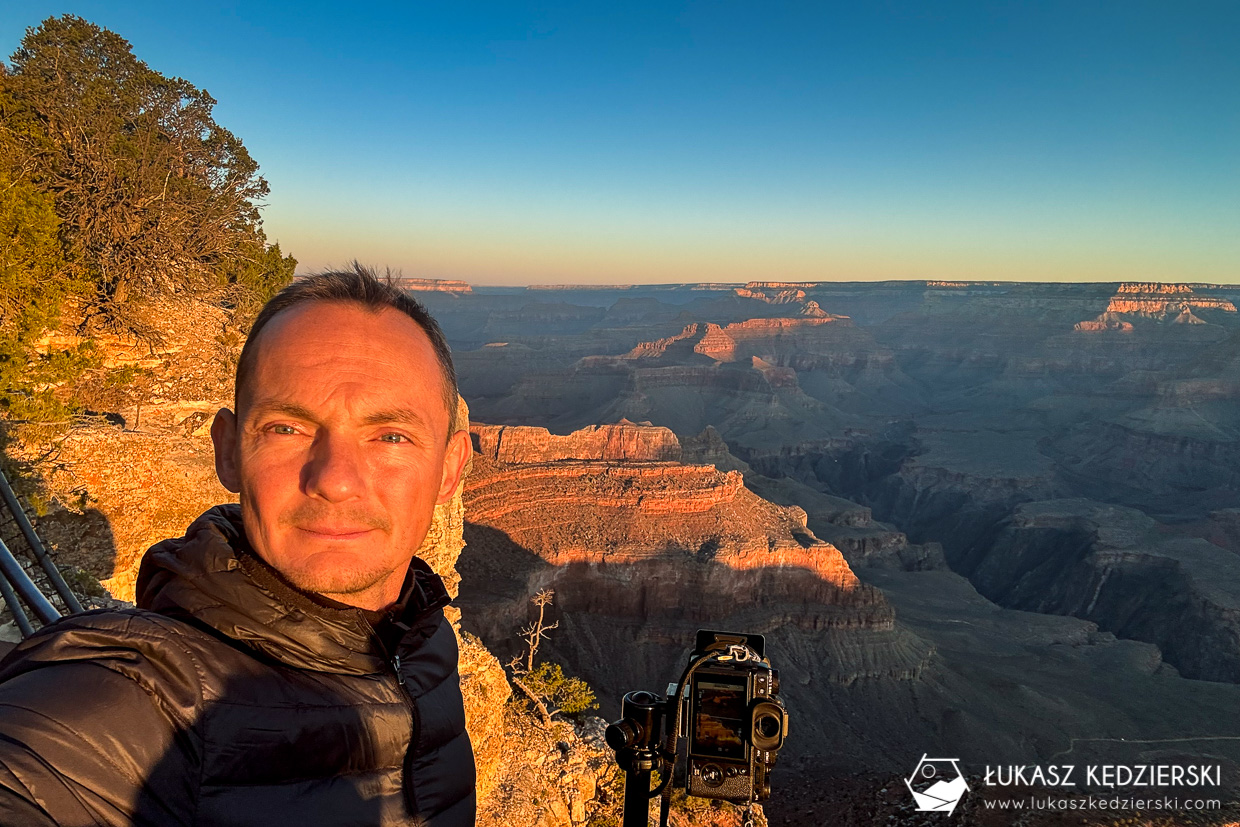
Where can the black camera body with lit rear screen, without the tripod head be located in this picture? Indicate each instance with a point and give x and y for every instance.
(736, 721)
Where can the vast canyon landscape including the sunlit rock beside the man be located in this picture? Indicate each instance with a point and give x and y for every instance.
(986, 520)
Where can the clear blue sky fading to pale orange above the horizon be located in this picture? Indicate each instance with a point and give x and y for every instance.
(724, 141)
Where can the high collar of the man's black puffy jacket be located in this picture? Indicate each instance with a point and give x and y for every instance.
(211, 578)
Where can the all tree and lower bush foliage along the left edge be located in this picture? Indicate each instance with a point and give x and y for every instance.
(117, 187)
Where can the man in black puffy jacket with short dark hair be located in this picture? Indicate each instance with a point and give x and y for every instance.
(290, 661)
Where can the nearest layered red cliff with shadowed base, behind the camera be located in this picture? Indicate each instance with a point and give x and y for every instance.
(640, 555)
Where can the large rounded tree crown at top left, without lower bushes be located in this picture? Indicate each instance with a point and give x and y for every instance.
(151, 194)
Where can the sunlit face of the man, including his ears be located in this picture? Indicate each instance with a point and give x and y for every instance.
(339, 449)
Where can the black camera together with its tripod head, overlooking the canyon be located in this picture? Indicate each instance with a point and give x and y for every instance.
(726, 707)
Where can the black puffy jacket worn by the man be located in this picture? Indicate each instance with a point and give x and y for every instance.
(231, 699)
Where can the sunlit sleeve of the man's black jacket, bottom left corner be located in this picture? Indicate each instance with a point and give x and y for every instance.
(81, 745)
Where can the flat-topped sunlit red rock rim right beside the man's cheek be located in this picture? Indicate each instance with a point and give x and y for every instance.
(621, 442)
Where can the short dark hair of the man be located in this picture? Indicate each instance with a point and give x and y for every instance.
(360, 286)
